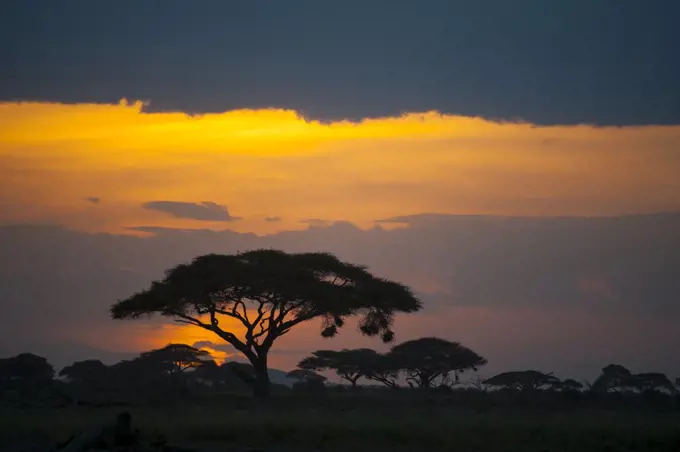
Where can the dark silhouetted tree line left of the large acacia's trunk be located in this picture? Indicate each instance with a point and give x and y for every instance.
(171, 372)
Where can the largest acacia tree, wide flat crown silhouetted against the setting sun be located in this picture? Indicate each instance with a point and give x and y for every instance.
(270, 292)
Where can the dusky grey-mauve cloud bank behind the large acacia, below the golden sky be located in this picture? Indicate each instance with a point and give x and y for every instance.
(563, 294)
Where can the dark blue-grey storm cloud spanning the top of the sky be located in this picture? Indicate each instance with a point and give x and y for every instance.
(575, 61)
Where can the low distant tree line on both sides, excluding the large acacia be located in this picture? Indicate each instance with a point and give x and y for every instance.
(181, 372)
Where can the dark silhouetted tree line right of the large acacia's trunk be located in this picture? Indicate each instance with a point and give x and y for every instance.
(429, 363)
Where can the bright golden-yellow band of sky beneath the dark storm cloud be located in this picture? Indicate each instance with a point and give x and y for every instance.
(273, 163)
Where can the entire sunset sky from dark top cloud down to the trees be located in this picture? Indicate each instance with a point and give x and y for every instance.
(516, 163)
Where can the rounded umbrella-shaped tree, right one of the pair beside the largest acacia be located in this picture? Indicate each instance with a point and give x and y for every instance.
(428, 360)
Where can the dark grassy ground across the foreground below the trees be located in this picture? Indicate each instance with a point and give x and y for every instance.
(303, 427)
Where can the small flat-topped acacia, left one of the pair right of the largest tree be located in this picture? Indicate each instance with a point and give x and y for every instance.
(348, 364)
